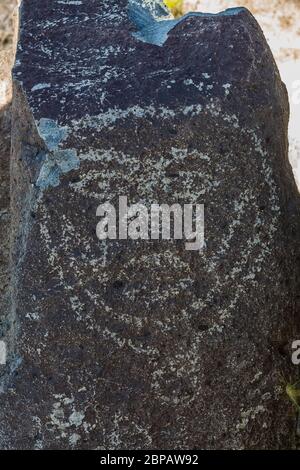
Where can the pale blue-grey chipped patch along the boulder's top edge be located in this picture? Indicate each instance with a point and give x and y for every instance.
(154, 24)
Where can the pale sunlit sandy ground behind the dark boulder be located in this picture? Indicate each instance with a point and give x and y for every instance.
(279, 19)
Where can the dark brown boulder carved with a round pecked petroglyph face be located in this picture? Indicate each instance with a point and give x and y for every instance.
(142, 344)
